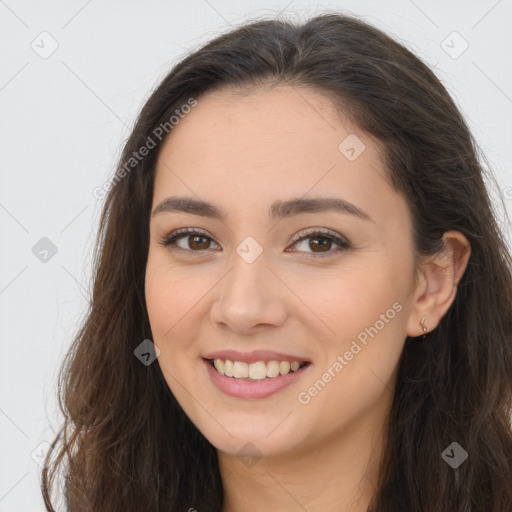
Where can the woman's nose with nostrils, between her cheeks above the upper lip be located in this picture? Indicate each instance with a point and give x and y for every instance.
(250, 295)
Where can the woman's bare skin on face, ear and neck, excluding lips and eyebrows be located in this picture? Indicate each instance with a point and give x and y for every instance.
(242, 152)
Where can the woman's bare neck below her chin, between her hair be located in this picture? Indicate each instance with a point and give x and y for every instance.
(339, 475)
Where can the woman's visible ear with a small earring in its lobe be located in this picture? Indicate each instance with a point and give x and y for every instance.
(437, 283)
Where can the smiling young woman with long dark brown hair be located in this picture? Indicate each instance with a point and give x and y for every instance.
(302, 299)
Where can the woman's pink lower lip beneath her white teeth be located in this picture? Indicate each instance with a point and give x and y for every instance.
(256, 389)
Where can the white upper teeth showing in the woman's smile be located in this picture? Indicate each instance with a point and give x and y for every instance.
(255, 371)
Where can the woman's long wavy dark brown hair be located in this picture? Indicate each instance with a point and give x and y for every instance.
(128, 444)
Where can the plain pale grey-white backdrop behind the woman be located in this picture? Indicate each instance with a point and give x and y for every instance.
(73, 77)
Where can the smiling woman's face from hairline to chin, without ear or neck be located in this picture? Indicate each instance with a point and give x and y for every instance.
(270, 284)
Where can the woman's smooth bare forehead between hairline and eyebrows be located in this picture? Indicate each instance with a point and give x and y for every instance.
(267, 143)
